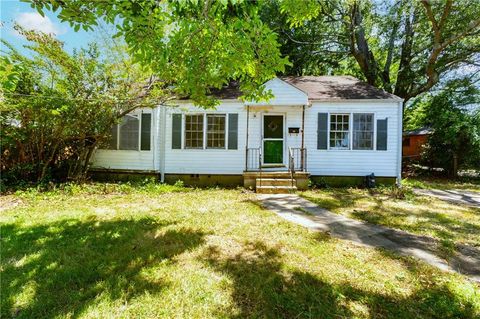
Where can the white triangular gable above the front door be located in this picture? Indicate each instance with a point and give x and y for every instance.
(284, 94)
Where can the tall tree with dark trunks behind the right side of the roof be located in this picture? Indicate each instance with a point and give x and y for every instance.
(402, 46)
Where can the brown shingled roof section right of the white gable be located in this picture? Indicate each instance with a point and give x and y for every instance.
(337, 88)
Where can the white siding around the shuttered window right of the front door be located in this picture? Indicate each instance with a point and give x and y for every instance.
(353, 162)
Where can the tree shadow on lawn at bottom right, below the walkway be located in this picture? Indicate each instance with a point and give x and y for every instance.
(264, 288)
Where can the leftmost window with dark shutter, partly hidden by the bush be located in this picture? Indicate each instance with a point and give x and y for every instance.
(133, 133)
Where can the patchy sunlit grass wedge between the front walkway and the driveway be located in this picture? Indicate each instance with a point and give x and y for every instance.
(450, 223)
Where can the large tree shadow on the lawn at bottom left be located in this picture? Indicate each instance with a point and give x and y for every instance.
(59, 269)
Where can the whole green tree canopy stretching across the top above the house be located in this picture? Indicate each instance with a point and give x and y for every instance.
(402, 46)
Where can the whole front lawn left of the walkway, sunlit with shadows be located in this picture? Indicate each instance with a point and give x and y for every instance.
(163, 251)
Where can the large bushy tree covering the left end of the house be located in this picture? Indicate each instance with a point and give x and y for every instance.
(59, 106)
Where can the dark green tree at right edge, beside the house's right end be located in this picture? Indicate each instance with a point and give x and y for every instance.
(454, 117)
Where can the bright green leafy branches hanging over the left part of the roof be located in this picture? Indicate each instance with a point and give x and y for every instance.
(193, 46)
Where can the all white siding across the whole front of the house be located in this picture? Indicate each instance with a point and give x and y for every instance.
(224, 161)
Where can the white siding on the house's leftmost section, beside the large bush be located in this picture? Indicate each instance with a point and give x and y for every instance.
(129, 160)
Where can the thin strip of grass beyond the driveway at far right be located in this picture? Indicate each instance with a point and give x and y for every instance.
(469, 184)
